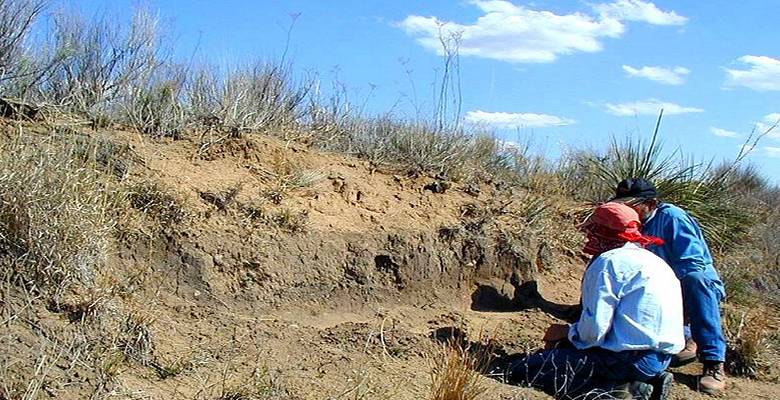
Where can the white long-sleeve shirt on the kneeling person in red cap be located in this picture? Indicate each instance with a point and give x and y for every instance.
(631, 300)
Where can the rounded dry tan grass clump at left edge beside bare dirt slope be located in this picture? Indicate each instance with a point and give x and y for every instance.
(56, 216)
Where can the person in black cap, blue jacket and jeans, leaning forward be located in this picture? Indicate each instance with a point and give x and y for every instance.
(686, 251)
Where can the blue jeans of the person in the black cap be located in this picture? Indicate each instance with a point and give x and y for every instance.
(701, 303)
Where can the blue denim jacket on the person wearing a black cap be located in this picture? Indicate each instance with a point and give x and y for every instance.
(685, 249)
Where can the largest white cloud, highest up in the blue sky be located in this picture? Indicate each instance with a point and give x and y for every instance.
(514, 33)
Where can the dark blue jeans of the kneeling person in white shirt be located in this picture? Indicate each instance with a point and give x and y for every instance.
(570, 372)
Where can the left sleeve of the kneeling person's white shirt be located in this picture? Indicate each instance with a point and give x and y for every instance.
(599, 302)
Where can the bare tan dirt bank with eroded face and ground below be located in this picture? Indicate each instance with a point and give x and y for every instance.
(263, 269)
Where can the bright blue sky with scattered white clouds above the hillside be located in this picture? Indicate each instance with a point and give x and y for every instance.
(560, 73)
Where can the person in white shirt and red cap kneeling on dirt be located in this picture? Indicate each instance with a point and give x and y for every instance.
(631, 323)
